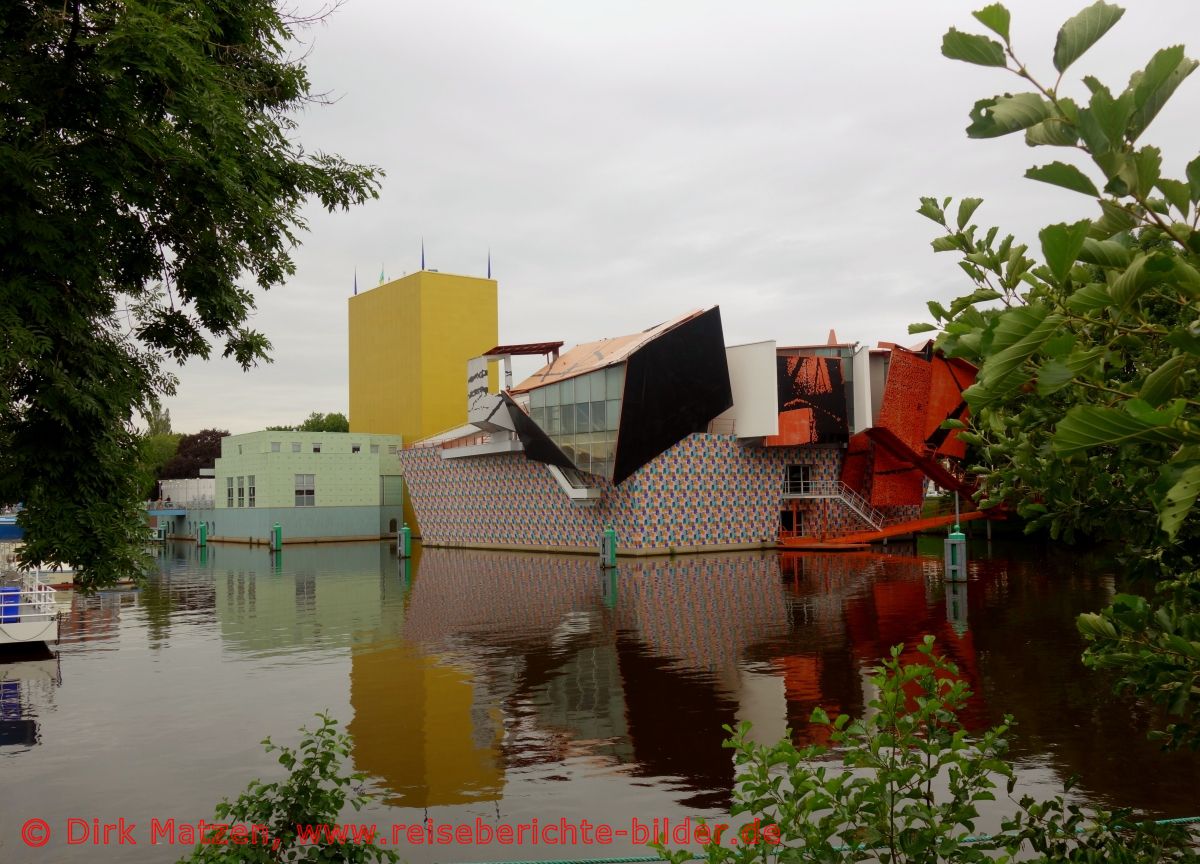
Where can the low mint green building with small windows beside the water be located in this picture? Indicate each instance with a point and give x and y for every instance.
(317, 485)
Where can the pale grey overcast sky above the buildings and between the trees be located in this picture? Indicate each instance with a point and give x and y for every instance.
(629, 161)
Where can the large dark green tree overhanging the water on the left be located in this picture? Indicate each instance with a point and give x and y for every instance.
(149, 177)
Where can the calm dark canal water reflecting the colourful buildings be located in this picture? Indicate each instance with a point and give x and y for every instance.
(506, 687)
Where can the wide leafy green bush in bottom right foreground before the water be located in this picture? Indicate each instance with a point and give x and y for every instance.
(905, 783)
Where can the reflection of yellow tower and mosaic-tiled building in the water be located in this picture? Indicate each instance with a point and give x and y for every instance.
(506, 661)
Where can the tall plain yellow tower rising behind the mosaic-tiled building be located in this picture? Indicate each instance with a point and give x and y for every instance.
(411, 340)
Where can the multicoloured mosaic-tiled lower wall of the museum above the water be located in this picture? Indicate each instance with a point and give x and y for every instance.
(709, 490)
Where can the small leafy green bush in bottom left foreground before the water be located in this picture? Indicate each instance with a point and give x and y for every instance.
(315, 794)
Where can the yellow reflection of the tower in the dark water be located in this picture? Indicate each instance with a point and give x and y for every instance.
(423, 729)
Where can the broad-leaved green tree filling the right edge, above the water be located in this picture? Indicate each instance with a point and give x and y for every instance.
(1084, 415)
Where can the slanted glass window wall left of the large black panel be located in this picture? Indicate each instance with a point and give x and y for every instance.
(581, 416)
